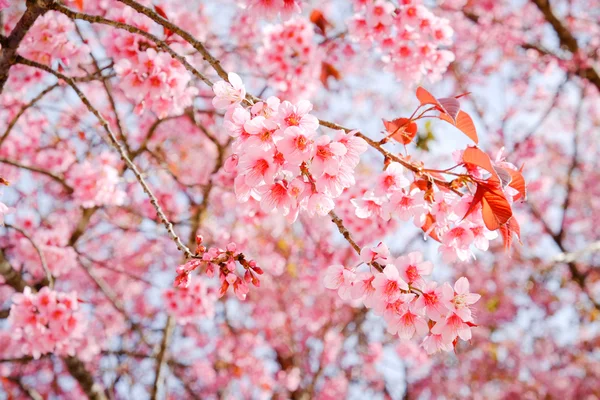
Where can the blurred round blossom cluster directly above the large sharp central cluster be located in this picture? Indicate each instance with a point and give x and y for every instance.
(291, 59)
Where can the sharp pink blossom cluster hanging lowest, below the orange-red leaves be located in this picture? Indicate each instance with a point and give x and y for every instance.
(409, 304)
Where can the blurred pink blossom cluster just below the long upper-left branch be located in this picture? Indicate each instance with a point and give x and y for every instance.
(156, 81)
